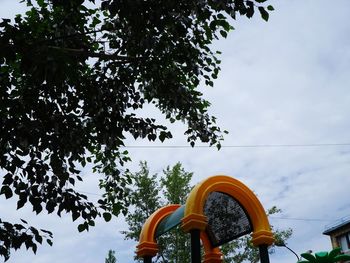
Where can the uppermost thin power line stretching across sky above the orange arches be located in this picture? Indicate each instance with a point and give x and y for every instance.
(239, 146)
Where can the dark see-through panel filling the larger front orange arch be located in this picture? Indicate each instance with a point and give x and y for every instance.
(227, 220)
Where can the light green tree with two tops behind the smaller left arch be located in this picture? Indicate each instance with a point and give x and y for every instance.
(148, 195)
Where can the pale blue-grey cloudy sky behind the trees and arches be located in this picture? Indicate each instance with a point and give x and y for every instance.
(284, 82)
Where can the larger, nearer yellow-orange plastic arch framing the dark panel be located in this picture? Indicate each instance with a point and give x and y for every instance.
(194, 217)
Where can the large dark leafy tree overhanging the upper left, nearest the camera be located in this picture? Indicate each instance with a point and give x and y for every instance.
(71, 79)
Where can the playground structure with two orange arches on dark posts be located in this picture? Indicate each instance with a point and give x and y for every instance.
(217, 210)
